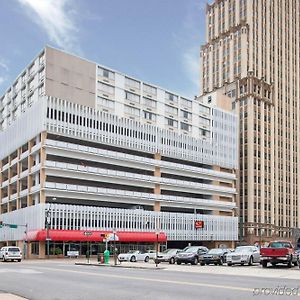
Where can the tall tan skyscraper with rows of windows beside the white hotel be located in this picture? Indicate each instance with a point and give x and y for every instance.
(254, 46)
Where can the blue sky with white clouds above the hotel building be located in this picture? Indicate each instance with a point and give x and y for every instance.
(157, 41)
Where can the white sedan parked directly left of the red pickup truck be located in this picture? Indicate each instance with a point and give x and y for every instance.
(243, 255)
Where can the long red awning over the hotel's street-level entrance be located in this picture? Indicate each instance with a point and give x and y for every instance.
(94, 236)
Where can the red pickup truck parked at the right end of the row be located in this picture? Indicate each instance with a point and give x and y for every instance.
(279, 252)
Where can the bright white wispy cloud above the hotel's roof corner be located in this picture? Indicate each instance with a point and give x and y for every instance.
(56, 17)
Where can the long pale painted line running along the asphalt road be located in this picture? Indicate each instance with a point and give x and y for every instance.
(153, 280)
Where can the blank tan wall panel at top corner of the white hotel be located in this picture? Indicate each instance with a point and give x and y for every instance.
(70, 78)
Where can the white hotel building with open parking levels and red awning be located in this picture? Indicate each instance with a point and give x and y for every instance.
(87, 150)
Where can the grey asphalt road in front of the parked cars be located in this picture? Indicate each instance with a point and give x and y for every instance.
(42, 280)
